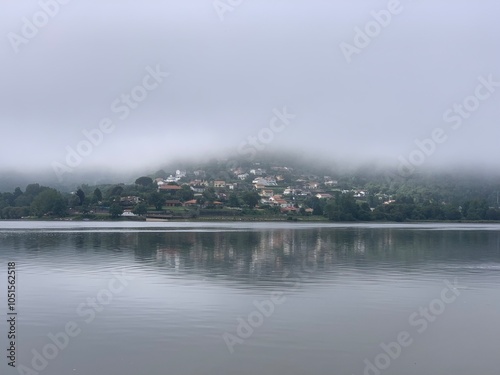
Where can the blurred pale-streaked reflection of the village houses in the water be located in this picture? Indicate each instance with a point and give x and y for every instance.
(269, 252)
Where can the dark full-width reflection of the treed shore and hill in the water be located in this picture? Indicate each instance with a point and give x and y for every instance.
(271, 253)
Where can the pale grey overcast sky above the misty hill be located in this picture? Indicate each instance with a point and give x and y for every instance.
(230, 68)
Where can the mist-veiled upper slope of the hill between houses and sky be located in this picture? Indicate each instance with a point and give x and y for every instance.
(300, 164)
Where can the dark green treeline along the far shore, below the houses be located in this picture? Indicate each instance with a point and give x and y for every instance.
(42, 201)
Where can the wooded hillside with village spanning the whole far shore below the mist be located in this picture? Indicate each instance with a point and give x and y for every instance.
(261, 191)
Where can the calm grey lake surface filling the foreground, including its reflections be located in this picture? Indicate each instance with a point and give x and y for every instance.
(185, 293)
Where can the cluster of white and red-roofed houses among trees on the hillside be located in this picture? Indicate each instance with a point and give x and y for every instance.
(274, 191)
